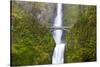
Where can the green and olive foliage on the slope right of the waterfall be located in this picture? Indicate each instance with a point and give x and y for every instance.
(81, 39)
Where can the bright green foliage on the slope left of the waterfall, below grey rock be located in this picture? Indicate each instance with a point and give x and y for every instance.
(32, 43)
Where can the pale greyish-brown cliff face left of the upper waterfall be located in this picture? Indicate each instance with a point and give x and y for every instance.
(43, 12)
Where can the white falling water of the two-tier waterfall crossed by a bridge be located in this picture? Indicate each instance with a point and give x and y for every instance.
(58, 54)
